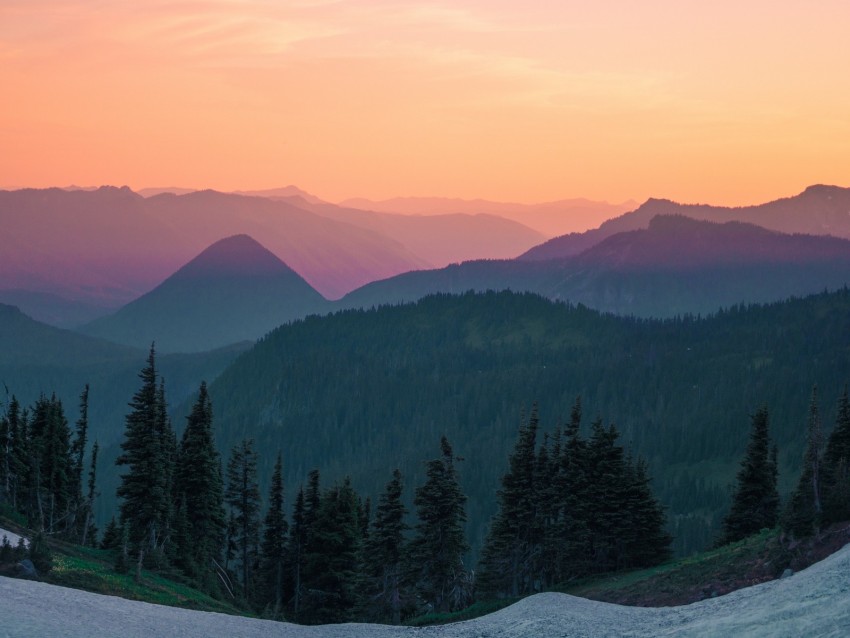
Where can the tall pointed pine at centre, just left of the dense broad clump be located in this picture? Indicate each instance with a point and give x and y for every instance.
(439, 544)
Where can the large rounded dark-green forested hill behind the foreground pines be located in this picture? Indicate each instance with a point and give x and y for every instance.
(359, 393)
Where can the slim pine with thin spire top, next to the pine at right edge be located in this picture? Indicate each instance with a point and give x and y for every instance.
(803, 513)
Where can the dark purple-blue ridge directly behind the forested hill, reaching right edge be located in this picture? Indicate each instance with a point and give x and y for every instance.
(675, 266)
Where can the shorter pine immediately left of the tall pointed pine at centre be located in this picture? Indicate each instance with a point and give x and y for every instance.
(384, 557)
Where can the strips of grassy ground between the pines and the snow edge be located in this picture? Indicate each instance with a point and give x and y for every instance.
(718, 571)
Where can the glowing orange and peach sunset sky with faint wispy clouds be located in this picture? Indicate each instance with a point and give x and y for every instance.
(723, 102)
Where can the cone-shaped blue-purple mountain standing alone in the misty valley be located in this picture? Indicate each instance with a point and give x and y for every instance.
(235, 290)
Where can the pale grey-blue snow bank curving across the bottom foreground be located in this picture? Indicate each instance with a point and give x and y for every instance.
(814, 602)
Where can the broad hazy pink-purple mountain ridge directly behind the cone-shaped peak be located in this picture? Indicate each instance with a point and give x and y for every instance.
(116, 244)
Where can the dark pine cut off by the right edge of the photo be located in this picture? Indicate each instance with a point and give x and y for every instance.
(836, 467)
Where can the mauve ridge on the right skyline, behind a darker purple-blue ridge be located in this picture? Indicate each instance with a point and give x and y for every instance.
(819, 210)
